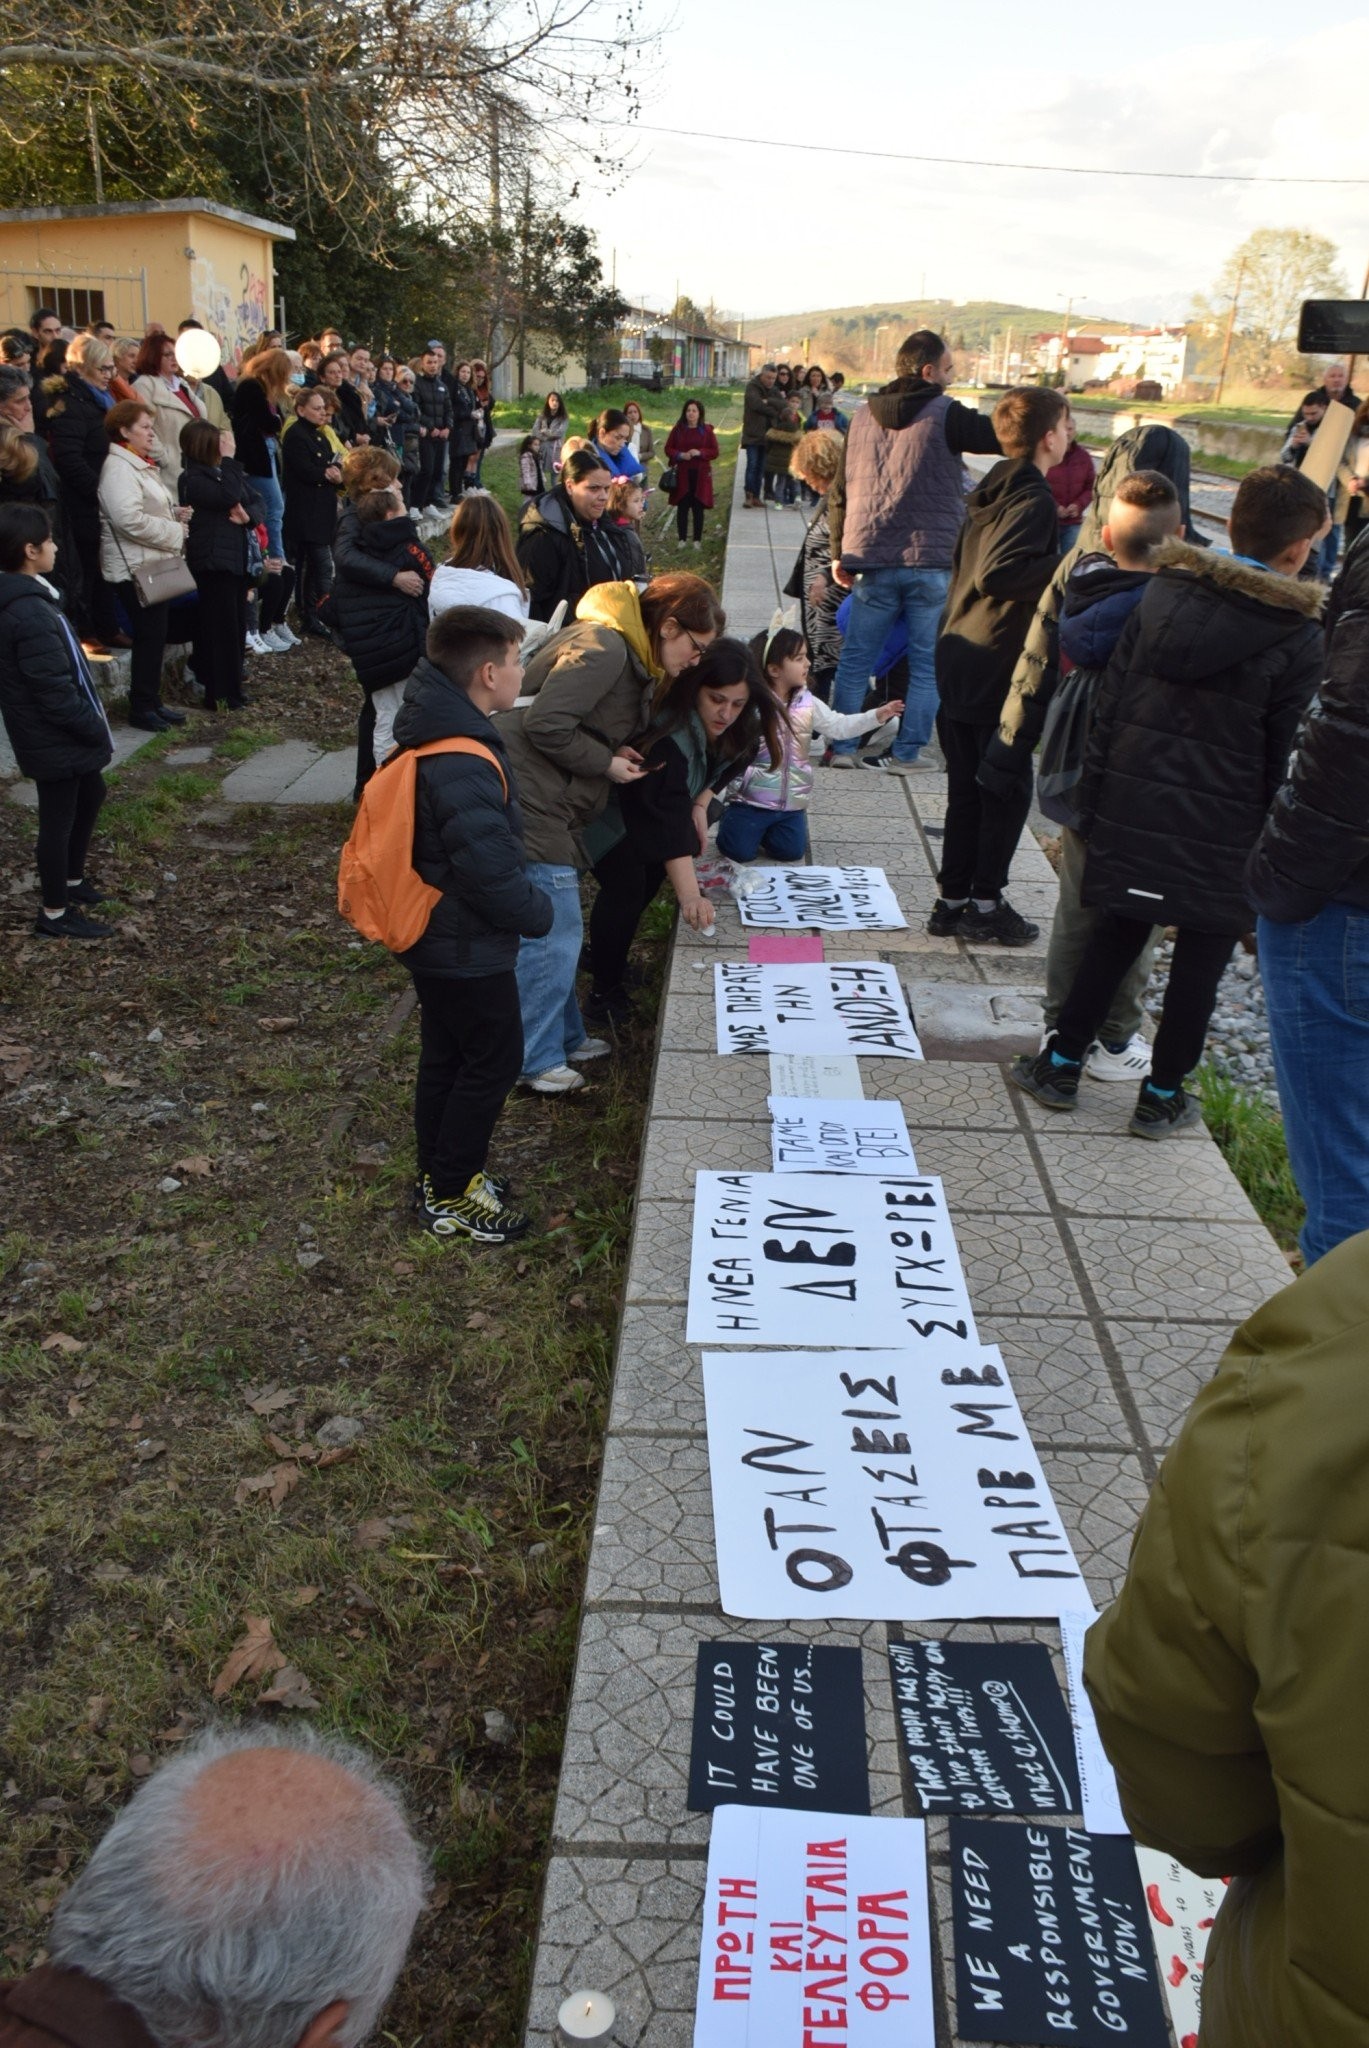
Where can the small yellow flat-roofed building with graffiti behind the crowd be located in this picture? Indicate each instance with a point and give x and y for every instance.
(140, 261)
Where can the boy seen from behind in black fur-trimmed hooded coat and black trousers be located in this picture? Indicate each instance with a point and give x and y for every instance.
(1188, 749)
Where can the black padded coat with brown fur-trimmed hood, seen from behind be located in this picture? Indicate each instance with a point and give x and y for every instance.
(1192, 738)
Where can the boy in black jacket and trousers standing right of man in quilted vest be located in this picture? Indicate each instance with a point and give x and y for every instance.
(1005, 556)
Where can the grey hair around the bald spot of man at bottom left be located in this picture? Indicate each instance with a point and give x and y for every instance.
(224, 1951)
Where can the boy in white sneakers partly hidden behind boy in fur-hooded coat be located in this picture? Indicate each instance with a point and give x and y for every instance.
(1097, 601)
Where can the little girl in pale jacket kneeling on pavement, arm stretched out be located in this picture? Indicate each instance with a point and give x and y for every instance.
(768, 806)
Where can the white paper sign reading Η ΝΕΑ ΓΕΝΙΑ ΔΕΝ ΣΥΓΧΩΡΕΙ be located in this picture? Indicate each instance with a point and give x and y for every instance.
(829, 1258)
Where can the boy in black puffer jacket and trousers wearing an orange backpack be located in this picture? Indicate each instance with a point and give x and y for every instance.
(468, 843)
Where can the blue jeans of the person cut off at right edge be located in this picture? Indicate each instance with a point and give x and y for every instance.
(1317, 992)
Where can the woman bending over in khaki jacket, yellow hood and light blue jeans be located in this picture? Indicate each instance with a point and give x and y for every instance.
(593, 689)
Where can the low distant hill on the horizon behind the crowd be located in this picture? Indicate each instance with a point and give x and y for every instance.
(845, 337)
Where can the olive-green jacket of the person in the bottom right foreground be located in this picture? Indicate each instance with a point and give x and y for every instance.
(1233, 1670)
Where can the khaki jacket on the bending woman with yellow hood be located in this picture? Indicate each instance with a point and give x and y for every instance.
(593, 691)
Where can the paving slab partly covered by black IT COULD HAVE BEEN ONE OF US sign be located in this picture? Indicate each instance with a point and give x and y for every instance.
(626, 1760)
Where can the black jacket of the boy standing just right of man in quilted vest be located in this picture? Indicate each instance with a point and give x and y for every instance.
(1005, 556)
